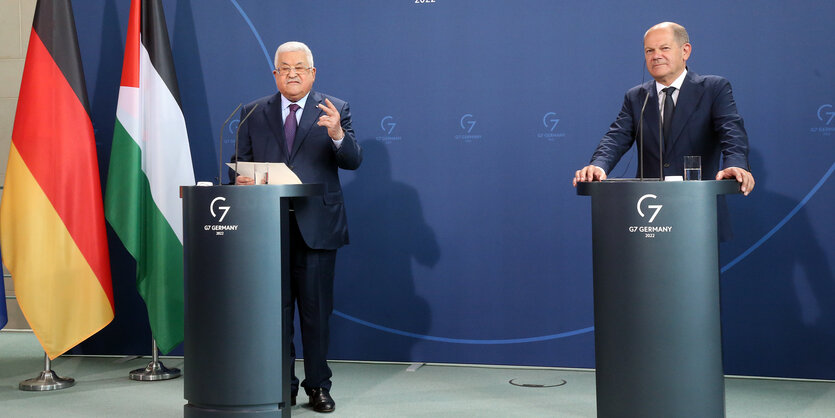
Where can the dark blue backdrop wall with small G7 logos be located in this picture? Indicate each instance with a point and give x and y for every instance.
(469, 244)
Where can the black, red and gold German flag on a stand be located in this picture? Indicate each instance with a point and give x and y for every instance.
(51, 219)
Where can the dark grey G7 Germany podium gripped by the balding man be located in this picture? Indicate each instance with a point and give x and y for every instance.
(658, 342)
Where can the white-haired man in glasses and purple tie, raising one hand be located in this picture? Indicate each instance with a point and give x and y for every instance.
(310, 132)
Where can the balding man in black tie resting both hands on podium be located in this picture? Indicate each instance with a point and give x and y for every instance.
(702, 114)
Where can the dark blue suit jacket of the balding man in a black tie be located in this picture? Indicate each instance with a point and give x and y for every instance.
(705, 123)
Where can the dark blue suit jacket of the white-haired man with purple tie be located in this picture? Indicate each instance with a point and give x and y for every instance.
(314, 158)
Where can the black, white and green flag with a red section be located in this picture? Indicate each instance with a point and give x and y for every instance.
(149, 161)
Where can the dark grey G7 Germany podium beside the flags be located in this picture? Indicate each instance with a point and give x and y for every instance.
(235, 248)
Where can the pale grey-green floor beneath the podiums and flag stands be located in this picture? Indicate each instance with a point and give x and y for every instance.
(367, 390)
